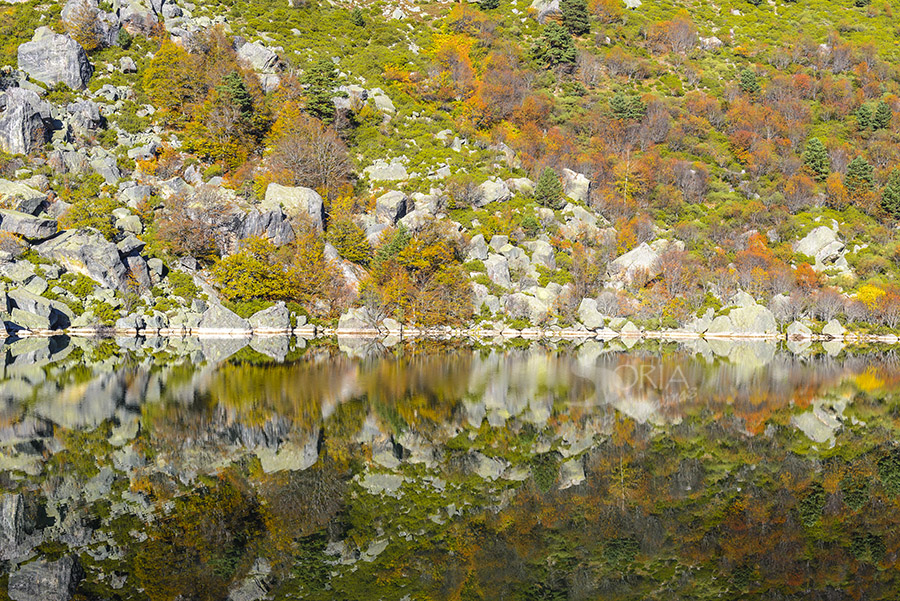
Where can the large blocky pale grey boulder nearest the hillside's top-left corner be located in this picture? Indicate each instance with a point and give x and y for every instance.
(51, 58)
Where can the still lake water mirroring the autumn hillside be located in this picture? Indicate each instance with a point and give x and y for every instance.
(206, 469)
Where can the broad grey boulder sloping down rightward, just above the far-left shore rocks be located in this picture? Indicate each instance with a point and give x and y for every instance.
(87, 252)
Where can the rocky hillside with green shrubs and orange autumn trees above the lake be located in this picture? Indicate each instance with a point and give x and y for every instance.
(562, 166)
